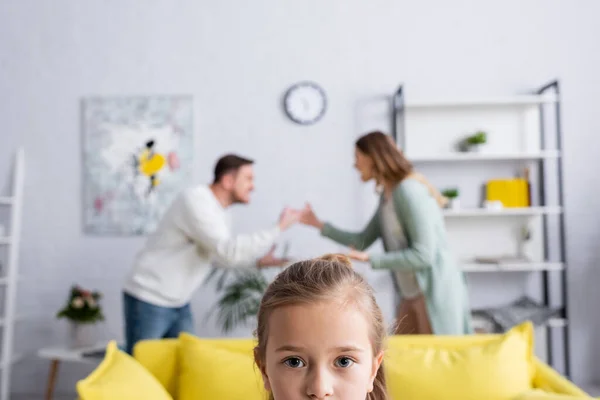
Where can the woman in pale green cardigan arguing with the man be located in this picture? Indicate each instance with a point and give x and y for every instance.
(409, 220)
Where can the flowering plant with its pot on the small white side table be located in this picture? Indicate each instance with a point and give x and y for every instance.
(82, 309)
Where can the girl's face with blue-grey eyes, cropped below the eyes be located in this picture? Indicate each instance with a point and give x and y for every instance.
(319, 351)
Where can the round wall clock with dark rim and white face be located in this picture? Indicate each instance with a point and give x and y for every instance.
(305, 103)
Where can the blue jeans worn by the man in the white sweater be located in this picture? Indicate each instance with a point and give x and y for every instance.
(147, 321)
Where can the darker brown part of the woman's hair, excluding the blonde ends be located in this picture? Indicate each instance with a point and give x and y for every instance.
(389, 162)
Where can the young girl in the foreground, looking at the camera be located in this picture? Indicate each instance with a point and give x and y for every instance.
(320, 334)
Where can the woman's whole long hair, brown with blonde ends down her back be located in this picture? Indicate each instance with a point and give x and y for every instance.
(390, 164)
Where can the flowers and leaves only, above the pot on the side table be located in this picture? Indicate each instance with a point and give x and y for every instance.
(82, 307)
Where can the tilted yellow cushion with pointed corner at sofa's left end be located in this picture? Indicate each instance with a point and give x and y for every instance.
(119, 376)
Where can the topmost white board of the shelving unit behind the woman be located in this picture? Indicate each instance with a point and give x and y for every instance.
(519, 100)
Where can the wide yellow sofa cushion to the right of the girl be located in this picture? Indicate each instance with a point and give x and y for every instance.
(447, 367)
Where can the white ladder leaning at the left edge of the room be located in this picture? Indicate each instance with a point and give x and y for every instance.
(9, 277)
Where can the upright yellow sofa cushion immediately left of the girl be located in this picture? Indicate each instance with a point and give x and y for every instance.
(218, 369)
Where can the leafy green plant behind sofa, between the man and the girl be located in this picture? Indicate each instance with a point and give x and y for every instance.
(240, 297)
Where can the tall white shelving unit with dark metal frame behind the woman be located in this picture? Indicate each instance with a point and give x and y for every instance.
(518, 130)
